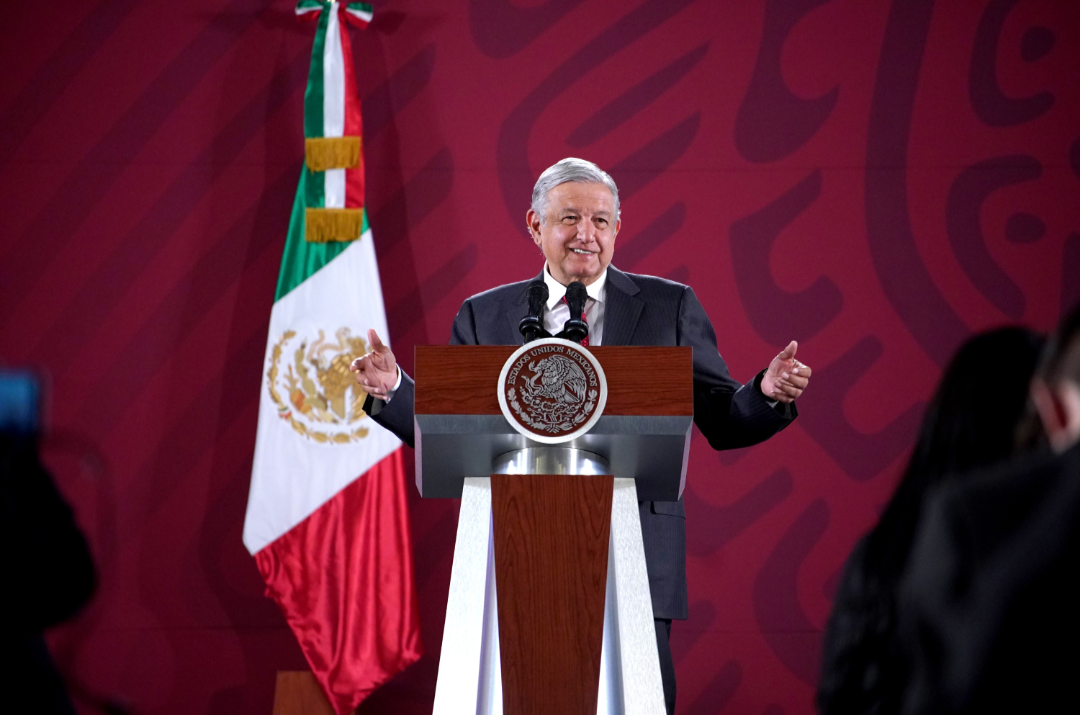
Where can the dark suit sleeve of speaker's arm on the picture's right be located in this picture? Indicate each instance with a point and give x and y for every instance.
(730, 414)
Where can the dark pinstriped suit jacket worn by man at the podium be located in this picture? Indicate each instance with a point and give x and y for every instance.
(640, 311)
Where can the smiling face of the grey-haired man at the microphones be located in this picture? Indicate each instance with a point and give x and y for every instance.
(578, 235)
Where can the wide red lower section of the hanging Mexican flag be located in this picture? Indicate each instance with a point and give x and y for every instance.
(344, 578)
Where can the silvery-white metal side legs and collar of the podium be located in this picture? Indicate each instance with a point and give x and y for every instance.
(470, 679)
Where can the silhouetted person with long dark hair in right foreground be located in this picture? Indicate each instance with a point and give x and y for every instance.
(970, 423)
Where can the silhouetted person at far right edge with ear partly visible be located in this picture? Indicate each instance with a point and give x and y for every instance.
(991, 608)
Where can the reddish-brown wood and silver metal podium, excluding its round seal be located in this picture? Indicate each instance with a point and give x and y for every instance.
(549, 610)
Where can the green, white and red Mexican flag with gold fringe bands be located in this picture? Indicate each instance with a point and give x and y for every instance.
(328, 519)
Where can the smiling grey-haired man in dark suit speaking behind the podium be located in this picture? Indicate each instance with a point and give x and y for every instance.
(574, 219)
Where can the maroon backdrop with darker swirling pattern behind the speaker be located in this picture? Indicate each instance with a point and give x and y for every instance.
(875, 180)
